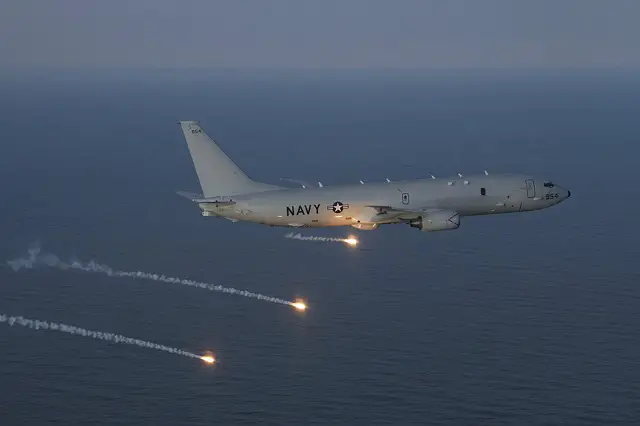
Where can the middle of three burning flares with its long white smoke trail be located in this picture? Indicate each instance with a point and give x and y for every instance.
(36, 259)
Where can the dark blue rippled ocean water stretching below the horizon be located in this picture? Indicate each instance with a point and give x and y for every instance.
(527, 318)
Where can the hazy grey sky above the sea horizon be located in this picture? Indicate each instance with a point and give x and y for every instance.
(320, 33)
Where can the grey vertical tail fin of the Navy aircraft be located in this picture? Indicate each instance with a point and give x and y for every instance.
(217, 173)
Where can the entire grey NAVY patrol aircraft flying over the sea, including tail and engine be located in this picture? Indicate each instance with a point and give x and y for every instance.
(431, 204)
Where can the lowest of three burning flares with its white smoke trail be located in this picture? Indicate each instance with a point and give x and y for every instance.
(100, 335)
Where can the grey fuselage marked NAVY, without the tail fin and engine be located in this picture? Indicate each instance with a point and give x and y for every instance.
(347, 205)
